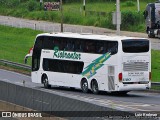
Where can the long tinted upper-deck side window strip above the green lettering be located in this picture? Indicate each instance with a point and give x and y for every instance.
(79, 45)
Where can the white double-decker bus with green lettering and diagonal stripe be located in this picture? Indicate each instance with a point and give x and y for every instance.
(91, 62)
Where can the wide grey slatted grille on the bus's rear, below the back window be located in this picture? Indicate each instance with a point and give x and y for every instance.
(135, 66)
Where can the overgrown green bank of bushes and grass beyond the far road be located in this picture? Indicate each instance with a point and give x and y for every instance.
(98, 12)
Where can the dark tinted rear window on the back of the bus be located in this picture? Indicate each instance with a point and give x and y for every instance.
(135, 46)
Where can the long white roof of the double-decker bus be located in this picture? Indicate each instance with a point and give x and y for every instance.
(89, 36)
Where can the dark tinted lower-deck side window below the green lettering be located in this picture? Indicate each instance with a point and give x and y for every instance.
(63, 66)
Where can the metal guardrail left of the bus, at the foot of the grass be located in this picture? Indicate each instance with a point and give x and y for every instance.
(15, 64)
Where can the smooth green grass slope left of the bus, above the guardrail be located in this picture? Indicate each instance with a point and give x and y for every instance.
(16, 42)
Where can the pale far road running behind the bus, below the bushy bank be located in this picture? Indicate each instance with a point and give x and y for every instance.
(55, 27)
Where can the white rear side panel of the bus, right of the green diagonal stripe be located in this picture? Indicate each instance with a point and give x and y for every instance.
(106, 76)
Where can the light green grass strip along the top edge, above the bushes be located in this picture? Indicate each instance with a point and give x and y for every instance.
(109, 6)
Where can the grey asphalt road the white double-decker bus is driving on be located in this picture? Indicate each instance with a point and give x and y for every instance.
(134, 101)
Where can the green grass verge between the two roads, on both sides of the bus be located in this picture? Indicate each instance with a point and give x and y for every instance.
(16, 43)
